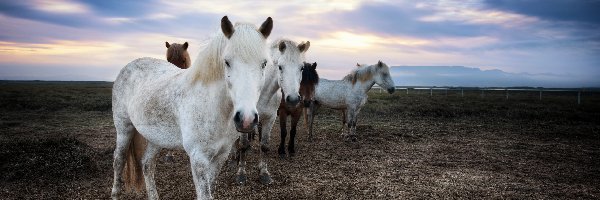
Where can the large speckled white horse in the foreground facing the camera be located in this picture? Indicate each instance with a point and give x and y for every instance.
(199, 109)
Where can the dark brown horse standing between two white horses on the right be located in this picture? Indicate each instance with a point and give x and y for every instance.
(307, 90)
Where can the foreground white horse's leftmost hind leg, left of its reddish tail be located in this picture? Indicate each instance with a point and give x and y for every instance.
(125, 131)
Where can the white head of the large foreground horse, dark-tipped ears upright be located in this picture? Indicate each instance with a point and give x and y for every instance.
(245, 58)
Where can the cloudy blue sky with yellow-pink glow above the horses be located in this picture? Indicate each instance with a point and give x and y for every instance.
(93, 40)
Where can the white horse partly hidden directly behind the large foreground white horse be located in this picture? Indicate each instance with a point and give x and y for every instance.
(286, 74)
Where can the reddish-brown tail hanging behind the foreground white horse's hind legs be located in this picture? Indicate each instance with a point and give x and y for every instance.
(132, 173)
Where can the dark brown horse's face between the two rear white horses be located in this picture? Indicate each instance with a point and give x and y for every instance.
(310, 78)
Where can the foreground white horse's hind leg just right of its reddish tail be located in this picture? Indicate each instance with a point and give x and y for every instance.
(149, 169)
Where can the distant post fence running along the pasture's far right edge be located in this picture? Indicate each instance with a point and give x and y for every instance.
(483, 90)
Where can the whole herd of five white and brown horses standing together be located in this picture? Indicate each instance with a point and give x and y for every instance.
(234, 90)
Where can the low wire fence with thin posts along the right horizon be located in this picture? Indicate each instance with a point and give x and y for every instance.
(505, 92)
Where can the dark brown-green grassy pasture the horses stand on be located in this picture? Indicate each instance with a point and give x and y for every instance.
(57, 141)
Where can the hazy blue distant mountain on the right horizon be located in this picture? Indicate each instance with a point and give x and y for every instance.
(475, 77)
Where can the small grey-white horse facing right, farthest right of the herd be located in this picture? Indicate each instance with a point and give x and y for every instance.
(350, 93)
